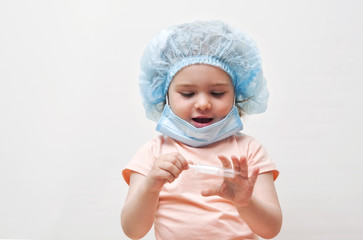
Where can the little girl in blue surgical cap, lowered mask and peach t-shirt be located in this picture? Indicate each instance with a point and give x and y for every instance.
(197, 80)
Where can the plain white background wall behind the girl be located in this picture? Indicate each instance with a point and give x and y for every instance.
(71, 114)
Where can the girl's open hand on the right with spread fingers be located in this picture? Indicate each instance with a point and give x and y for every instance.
(238, 189)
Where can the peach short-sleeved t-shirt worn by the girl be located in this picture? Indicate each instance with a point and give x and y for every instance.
(182, 212)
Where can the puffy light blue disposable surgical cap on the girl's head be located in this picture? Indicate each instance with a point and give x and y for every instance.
(204, 42)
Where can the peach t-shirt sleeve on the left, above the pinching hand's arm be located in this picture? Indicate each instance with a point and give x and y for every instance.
(142, 162)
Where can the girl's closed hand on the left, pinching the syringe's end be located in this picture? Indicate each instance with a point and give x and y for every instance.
(166, 168)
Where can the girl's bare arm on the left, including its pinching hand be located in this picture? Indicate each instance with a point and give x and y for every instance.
(138, 212)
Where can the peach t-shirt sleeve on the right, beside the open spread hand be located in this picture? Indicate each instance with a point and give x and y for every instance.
(258, 157)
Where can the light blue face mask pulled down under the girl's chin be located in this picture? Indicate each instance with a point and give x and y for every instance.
(173, 126)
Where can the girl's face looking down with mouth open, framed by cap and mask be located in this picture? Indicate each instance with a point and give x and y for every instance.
(201, 94)
